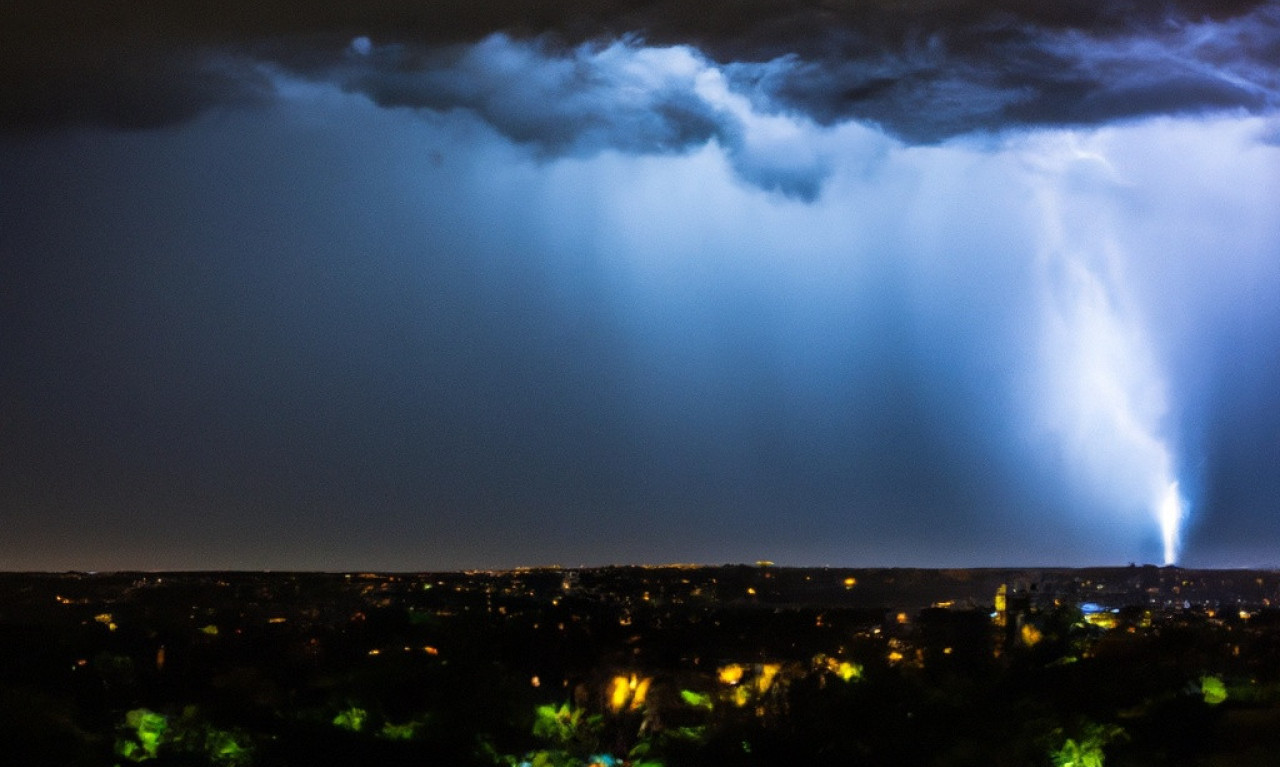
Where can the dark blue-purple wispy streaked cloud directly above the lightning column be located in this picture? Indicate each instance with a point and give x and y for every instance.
(954, 83)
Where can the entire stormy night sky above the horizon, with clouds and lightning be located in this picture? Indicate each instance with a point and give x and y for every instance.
(412, 286)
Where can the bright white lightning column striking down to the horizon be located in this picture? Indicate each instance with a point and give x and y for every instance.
(1105, 392)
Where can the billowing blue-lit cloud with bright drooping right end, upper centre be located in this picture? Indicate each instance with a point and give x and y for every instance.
(623, 97)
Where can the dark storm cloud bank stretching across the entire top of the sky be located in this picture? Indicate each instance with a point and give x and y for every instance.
(924, 71)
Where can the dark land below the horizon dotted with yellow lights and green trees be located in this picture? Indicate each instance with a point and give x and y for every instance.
(725, 666)
